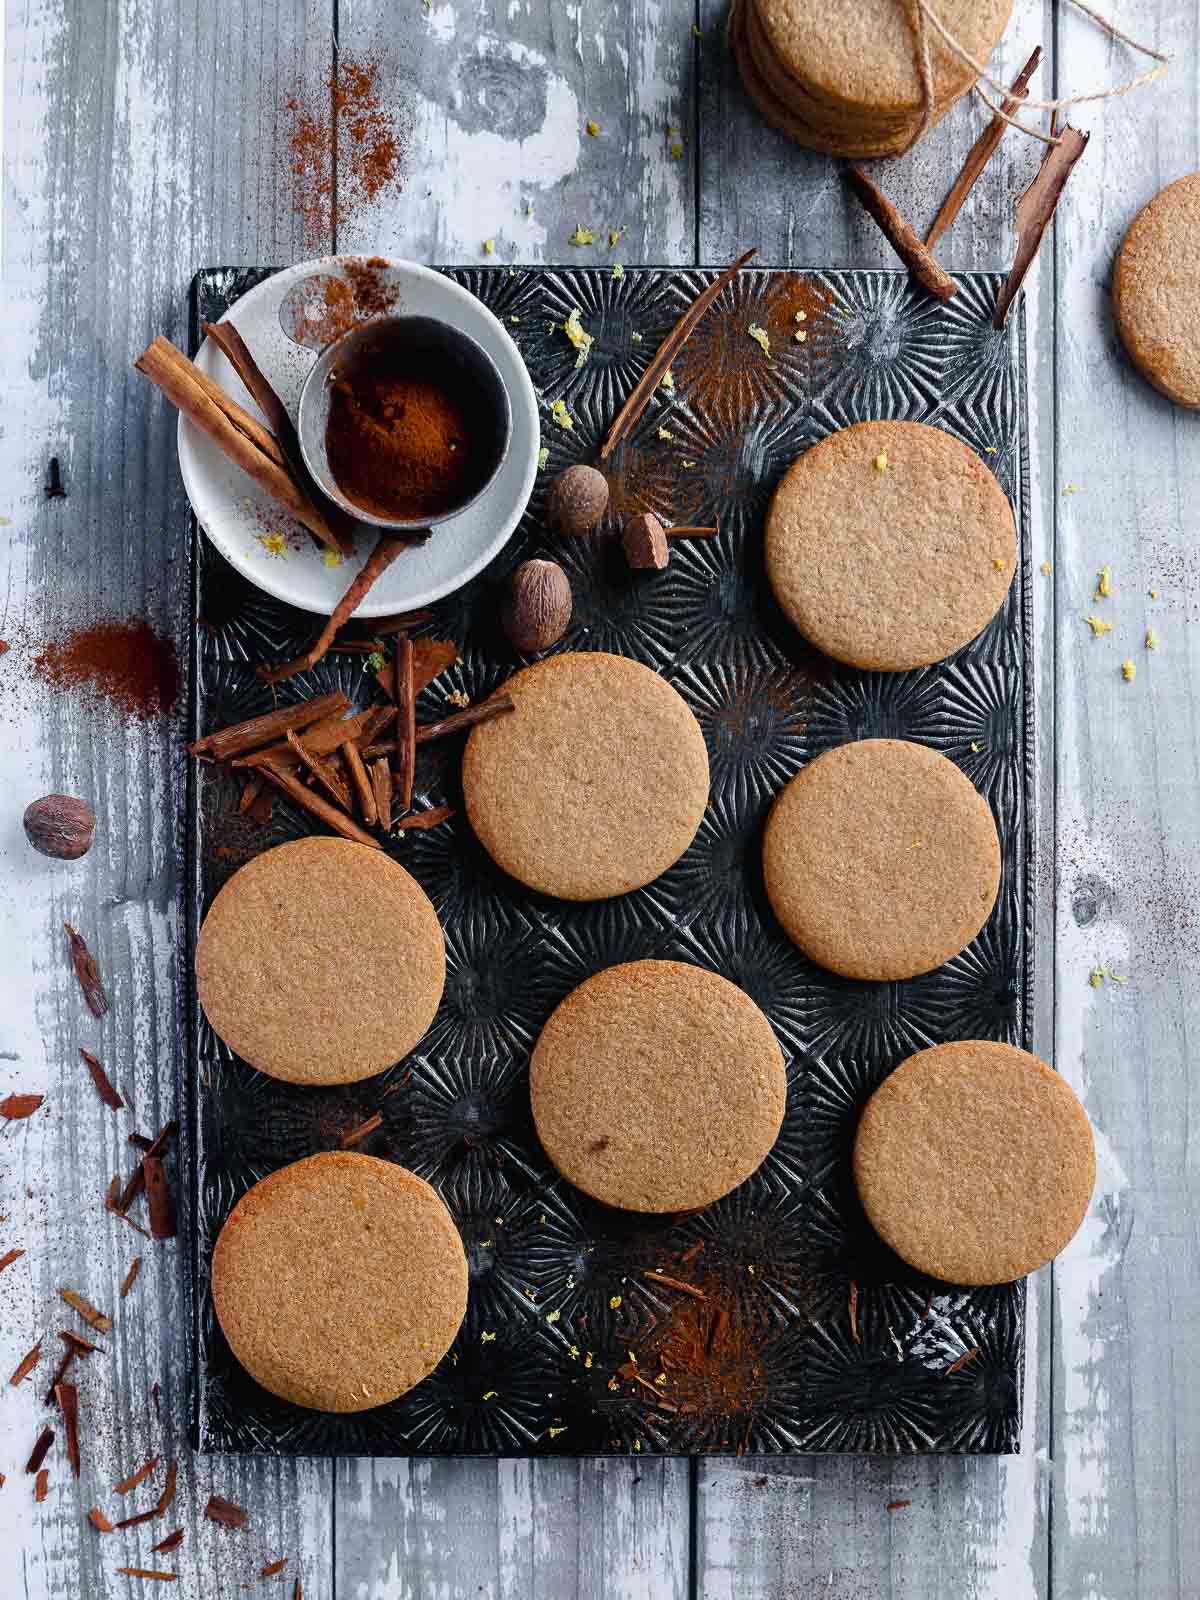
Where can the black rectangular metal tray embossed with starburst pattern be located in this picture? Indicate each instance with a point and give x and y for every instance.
(772, 1359)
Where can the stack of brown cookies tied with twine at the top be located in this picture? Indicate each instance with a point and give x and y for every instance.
(844, 76)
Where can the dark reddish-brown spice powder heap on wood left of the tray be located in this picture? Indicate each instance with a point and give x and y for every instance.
(126, 666)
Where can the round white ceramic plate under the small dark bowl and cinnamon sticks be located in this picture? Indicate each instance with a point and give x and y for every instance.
(247, 526)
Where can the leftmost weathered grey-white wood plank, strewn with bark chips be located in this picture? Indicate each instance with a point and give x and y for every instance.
(138, 143)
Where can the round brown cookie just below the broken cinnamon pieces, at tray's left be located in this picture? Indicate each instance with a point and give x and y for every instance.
(321, 962)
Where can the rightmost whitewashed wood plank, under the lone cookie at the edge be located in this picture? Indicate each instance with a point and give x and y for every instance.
(1127, 1412)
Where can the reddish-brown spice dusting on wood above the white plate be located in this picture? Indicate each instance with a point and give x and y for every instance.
(345, 116)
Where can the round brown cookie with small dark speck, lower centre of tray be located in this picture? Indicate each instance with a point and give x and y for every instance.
(658, 1087)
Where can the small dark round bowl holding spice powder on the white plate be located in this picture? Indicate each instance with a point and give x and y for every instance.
(447, 354)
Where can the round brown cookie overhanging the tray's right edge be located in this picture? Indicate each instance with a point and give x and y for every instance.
(975, 1162)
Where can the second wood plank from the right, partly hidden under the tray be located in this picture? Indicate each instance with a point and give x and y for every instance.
(818, 1526)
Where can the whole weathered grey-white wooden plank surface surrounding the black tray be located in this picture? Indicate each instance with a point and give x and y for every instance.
(142, 138)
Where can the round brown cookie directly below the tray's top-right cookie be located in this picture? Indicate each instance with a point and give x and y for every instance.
(881, 860)
